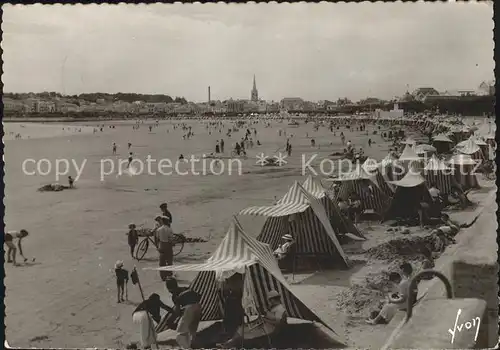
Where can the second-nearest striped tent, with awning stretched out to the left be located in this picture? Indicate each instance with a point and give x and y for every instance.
(303, 216)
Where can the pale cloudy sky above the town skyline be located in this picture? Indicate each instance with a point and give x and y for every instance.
(313, 51)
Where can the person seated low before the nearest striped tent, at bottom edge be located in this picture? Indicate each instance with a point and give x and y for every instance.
(274, 320)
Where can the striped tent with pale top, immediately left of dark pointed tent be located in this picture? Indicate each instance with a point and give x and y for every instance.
(365, 185)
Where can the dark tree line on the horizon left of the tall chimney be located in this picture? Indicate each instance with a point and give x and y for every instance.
(93, 97)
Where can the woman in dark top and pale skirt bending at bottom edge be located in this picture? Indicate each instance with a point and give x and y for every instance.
(143, 317)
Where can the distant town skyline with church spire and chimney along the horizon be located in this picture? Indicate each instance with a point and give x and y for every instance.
(53, 103)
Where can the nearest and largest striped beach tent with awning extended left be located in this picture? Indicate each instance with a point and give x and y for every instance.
(241, 253)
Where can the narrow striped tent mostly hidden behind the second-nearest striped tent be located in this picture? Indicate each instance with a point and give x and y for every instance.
(339, 222)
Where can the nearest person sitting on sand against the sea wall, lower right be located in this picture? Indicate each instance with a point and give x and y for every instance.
(394, 301)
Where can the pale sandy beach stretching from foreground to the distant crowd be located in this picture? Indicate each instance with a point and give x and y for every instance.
(67, 298)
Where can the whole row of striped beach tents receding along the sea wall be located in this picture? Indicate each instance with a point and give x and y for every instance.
(311, 215)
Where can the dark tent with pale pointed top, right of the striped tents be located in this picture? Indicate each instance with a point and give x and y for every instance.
(410, 192)
